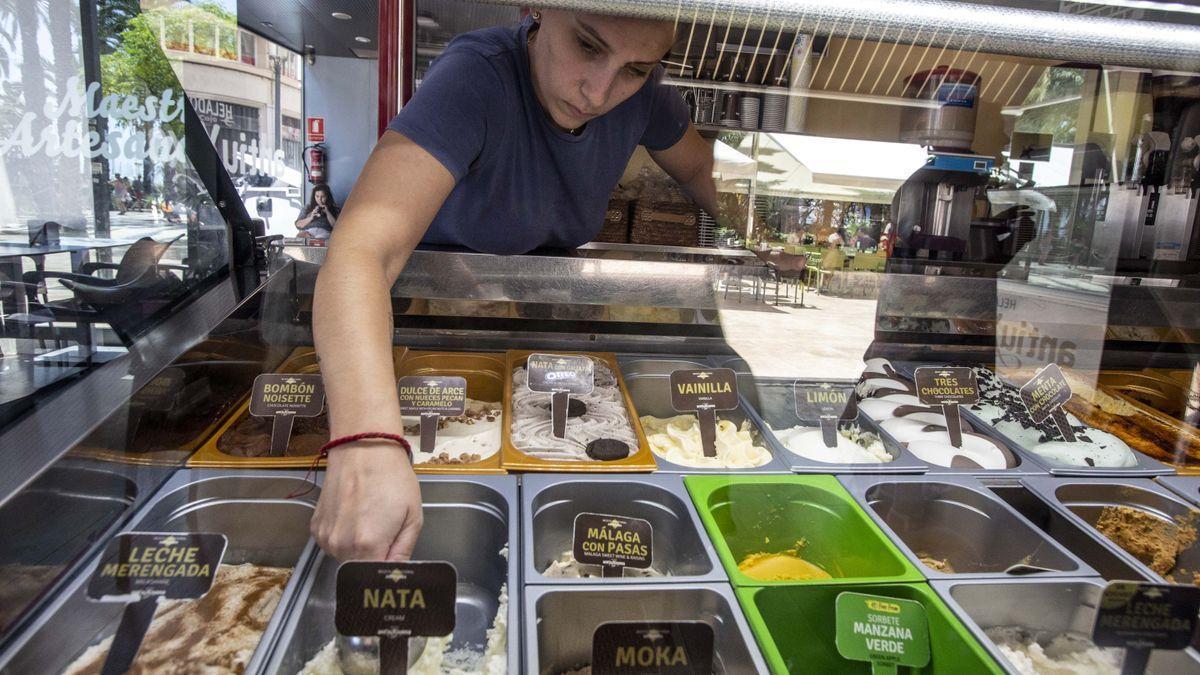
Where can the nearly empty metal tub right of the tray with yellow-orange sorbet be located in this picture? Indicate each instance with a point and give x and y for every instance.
(958, 523)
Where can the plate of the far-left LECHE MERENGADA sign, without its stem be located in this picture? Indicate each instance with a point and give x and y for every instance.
(170, 565)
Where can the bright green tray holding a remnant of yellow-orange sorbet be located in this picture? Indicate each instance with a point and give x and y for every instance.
(749, 515)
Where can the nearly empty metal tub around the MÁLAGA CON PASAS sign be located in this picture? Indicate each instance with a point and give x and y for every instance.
(550, 504)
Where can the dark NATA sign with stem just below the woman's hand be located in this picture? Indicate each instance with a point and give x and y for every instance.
(395, 601)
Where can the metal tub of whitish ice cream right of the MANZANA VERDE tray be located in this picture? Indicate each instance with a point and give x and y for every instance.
(1045, 608)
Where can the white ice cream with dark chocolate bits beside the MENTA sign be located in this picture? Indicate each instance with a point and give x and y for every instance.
(1000, 405)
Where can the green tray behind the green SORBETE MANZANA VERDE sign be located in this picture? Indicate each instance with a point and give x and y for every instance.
(795, 629)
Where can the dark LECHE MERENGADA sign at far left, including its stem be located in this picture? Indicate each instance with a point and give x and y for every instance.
(141, 569)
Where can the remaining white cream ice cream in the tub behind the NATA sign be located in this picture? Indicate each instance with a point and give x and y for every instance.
(437, 658)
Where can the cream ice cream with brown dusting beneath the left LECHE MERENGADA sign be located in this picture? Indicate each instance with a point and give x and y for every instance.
(218, 634)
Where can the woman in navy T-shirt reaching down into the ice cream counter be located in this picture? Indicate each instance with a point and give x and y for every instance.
(515, 140)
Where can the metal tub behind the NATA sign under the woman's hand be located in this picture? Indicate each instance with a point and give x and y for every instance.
(469, 521)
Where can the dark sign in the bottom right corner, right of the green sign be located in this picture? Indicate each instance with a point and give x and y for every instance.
(1142, 618)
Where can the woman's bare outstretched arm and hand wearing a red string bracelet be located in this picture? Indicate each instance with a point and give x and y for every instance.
(370, 507)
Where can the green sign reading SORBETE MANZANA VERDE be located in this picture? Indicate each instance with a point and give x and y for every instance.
(889, 632)
